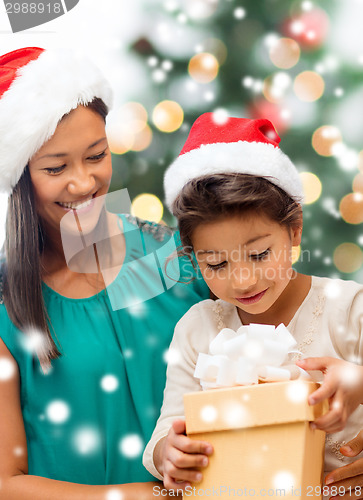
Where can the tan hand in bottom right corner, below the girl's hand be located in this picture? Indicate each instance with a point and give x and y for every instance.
(349, 477)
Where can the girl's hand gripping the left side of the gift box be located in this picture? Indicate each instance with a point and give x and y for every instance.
(181, 456)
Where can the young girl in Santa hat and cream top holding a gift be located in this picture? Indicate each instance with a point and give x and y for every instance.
(237, 199)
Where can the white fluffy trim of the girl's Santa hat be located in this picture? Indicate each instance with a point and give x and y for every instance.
(254, 158)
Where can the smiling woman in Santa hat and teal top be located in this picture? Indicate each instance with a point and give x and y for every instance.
(87, 309)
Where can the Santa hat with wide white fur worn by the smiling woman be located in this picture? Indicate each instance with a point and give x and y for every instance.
(37, 88)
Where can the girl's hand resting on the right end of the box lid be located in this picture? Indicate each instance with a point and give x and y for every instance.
(342, 386)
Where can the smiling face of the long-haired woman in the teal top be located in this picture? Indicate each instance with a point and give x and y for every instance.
(72, 168)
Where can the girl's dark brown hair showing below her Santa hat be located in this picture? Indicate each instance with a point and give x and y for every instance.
(208, 198)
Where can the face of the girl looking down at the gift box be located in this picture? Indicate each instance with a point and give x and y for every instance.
(246, 260)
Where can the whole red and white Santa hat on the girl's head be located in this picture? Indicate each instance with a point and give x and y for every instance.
(238, 145)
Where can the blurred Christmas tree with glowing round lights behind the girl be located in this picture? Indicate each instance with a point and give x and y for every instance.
(279, 59)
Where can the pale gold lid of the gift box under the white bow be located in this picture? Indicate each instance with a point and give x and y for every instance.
(251, 406)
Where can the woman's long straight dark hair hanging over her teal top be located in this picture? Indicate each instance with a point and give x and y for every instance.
(22, 270)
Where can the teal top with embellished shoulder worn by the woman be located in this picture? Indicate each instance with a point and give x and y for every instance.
(88, 420)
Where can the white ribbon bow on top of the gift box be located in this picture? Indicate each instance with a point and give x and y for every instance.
(252, 353)
